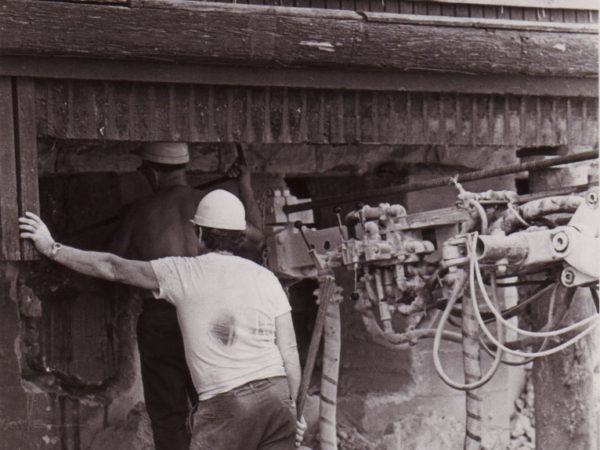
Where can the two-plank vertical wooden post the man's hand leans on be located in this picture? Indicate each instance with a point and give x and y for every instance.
(18, 164)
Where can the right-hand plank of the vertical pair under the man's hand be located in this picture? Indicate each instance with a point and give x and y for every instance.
(26, 154)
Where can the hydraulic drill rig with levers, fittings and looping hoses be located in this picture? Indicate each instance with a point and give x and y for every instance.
(403, 281)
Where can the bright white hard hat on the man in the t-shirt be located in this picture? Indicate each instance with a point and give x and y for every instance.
(220, 209)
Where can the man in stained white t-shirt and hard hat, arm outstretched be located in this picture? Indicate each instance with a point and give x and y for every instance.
(235, 320)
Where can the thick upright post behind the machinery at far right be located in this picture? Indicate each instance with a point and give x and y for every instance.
(565, 409)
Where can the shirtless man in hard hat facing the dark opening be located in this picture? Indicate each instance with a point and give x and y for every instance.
(157, 226)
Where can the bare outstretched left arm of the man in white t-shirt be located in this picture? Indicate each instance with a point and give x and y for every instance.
(96, 264)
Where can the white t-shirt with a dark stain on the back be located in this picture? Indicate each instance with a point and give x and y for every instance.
(226, 307)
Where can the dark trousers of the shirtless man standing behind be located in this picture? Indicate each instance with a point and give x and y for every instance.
(168, 387)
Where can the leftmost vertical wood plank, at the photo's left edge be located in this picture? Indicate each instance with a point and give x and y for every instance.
(9, 208)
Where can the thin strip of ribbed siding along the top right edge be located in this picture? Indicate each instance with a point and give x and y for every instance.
(440, 9)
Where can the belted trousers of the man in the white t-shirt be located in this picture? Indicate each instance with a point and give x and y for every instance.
(257, 415)
